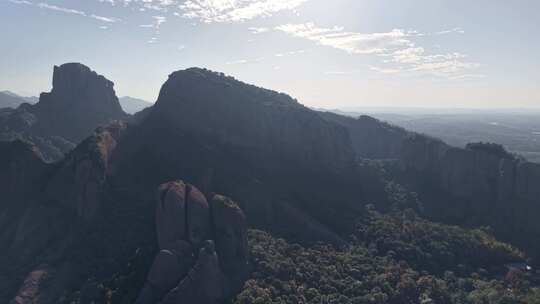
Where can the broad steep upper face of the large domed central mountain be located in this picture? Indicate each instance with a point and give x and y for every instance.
(251, 118)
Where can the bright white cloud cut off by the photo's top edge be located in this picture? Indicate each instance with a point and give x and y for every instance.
(213, 11)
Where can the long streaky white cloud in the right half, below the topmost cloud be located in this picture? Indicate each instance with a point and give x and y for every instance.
(397, 48)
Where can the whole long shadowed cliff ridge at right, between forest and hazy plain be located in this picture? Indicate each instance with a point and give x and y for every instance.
(478, 185)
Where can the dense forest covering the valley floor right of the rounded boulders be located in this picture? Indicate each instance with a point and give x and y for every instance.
(394, 258)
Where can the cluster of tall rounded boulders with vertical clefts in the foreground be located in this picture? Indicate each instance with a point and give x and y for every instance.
(203, 255)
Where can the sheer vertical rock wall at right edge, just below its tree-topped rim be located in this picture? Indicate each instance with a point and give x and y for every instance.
(469, 173)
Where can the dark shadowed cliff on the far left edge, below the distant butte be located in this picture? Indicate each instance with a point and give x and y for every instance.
(29, 227)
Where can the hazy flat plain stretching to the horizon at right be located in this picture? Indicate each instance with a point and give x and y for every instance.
(517, 130)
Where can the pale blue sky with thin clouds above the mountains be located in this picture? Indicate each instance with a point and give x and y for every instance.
(325, 53)
